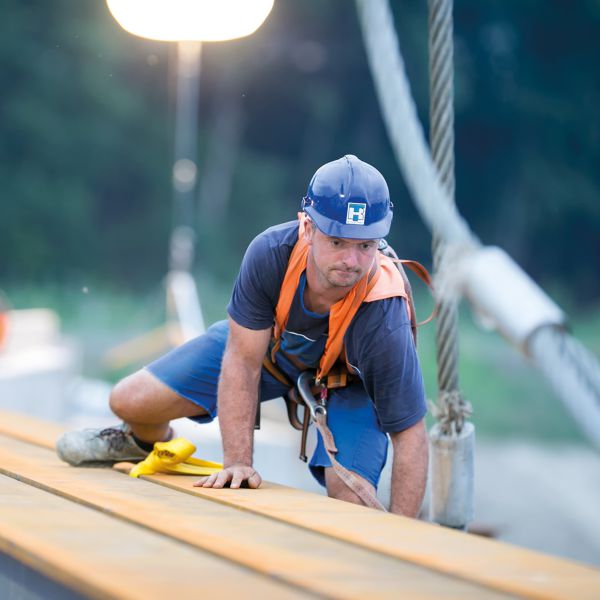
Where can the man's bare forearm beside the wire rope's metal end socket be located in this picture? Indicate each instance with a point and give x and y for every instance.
(409, 470)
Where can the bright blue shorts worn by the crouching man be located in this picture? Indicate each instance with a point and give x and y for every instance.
(192, 371)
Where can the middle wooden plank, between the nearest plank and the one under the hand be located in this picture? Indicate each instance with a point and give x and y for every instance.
(294, 555)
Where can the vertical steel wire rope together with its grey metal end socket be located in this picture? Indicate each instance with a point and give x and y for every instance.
(452, 442)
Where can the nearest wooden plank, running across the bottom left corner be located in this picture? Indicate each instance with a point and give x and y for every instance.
(102, 557)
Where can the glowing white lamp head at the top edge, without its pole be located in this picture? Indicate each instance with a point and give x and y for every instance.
(190, 20)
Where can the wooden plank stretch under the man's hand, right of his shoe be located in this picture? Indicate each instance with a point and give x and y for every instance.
(502, 566)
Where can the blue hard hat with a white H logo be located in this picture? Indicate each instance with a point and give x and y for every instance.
(348, 198)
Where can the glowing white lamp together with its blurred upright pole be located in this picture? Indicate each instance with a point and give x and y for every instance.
(189, 23)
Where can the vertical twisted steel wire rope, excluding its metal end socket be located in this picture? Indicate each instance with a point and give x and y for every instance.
(451, 410)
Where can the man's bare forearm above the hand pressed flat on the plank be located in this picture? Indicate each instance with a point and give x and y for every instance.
(237, 400)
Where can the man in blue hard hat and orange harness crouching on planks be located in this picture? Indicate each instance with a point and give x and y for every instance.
(313, 293)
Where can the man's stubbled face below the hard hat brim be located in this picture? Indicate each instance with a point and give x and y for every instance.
(340, 262)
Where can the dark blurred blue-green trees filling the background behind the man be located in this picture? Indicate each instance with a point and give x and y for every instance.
(86, 136)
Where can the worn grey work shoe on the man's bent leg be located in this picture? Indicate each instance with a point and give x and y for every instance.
(99, 446)
